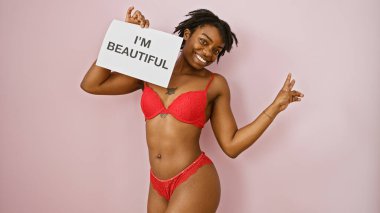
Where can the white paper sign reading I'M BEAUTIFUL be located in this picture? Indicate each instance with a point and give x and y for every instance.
(142, 53)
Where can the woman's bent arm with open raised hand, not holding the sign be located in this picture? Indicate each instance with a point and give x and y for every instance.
(232, 140)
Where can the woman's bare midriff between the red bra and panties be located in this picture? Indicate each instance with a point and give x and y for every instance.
(172, 144)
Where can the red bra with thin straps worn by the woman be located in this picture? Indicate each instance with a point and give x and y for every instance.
(188, 107)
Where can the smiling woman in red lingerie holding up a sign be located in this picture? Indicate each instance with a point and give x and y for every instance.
(183, 178)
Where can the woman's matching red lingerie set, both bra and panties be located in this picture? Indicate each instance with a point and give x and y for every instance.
(188, 107)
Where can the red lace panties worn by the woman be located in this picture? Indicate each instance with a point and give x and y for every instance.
(166, 187)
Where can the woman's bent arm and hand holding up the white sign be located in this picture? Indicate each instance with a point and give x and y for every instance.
(101, 81)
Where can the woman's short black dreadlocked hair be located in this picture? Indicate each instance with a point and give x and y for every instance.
(202, 17)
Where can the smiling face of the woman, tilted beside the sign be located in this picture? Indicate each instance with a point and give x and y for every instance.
(203, 46)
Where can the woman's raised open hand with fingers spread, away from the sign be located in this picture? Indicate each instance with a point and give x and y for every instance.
(287, 95)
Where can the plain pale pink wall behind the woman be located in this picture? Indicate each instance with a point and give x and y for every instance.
(65, 151)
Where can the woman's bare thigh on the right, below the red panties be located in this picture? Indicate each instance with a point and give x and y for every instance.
(199, 193)
